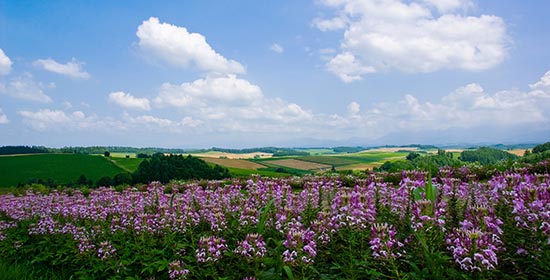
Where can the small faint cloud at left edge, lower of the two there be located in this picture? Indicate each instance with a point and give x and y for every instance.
(25, 88)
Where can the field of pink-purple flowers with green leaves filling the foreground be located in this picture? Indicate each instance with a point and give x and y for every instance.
(447, 227)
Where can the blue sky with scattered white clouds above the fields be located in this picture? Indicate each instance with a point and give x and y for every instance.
(300, 73)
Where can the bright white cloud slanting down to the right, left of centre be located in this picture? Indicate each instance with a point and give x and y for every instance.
(175, 45)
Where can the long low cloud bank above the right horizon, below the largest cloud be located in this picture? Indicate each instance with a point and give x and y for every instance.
(466, 107)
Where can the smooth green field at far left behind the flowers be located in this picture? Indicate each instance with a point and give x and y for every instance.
(62, 168)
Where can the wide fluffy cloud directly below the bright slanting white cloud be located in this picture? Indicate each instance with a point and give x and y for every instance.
(229, 103)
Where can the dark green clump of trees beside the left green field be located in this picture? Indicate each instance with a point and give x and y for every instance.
(165, 168)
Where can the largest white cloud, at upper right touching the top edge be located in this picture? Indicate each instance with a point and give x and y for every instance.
(412, 36)
